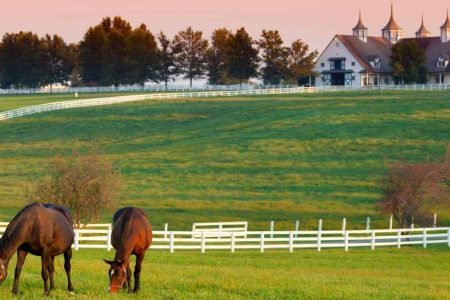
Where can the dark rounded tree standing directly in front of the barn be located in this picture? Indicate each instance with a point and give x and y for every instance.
(408, 62)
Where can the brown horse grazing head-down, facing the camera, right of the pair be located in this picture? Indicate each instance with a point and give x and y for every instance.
(131, 234)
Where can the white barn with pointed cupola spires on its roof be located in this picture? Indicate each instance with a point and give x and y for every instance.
(359, 60)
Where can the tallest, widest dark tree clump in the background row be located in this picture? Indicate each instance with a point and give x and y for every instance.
(112, 53)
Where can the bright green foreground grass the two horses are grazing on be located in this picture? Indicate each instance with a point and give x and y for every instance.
(407, 273)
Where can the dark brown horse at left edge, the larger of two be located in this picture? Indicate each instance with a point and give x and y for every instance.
(42, 230)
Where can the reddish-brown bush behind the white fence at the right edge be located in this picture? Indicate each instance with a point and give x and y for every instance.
(413, 192)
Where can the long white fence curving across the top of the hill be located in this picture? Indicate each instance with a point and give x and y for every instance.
(133, 98)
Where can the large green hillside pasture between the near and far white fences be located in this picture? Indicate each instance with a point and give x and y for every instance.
(282, 158)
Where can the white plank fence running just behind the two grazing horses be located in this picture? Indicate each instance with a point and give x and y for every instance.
(272, 240)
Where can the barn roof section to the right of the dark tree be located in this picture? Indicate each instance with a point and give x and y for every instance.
(433, 48)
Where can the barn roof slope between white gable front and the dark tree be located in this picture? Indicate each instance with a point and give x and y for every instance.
(364, 52)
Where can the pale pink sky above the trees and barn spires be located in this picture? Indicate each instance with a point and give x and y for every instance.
(313, 21)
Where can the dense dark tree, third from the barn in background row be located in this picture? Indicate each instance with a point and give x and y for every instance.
(243, 56)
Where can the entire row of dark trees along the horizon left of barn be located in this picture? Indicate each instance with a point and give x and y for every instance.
(115, 53)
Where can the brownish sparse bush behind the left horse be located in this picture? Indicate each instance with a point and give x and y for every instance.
(87, 184)
